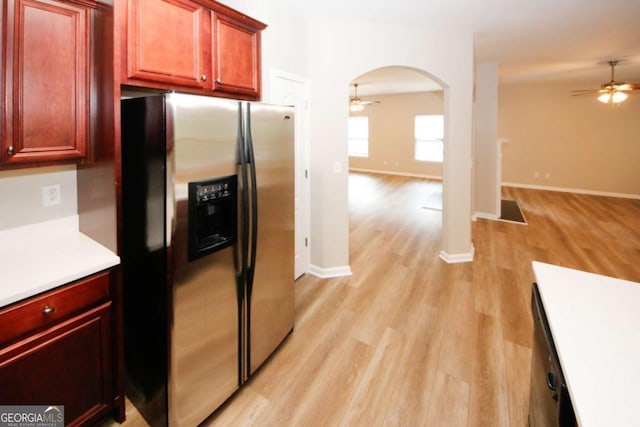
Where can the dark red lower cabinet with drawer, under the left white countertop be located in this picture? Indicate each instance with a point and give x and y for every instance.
(68, 363)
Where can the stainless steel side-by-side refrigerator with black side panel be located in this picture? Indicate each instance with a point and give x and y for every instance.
(207, 248)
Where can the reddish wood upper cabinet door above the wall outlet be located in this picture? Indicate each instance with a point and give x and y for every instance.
(45, 44)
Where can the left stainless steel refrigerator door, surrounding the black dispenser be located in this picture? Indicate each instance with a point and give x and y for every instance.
(204, 331)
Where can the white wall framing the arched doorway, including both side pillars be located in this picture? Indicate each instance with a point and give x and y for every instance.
(340, 51)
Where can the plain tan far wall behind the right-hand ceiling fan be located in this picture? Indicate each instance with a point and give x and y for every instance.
(569, 142)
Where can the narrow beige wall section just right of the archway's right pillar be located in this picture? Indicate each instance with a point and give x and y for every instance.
(485, 166)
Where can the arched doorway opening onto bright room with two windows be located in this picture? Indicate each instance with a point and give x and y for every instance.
(396, 143)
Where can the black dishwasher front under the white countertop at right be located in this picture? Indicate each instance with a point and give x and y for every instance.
(549, 401)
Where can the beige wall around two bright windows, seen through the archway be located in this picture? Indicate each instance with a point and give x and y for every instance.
(392, 136)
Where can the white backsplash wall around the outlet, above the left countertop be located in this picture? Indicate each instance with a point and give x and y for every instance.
(21, 195)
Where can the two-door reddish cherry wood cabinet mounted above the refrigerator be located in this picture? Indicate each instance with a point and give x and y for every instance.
(198, 46)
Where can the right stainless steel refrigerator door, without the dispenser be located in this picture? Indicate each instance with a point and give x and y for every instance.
(272, 305)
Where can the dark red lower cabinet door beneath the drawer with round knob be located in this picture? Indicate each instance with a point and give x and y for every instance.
(69, 364)
